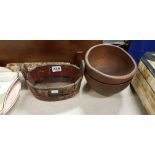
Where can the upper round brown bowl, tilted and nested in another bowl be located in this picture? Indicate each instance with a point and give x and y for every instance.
(110, 64)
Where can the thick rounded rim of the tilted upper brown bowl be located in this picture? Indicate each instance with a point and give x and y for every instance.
(122, 77)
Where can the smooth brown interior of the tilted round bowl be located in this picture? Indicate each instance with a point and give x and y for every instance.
(111, 60)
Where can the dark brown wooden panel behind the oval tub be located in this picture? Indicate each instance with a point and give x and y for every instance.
(12, 51)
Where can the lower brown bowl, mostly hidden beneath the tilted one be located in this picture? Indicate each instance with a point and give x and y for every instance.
(105, 89)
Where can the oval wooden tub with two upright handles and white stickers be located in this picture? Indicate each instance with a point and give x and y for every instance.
(54, 82)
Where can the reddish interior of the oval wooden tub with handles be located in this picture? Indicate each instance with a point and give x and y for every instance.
(45, 77)
